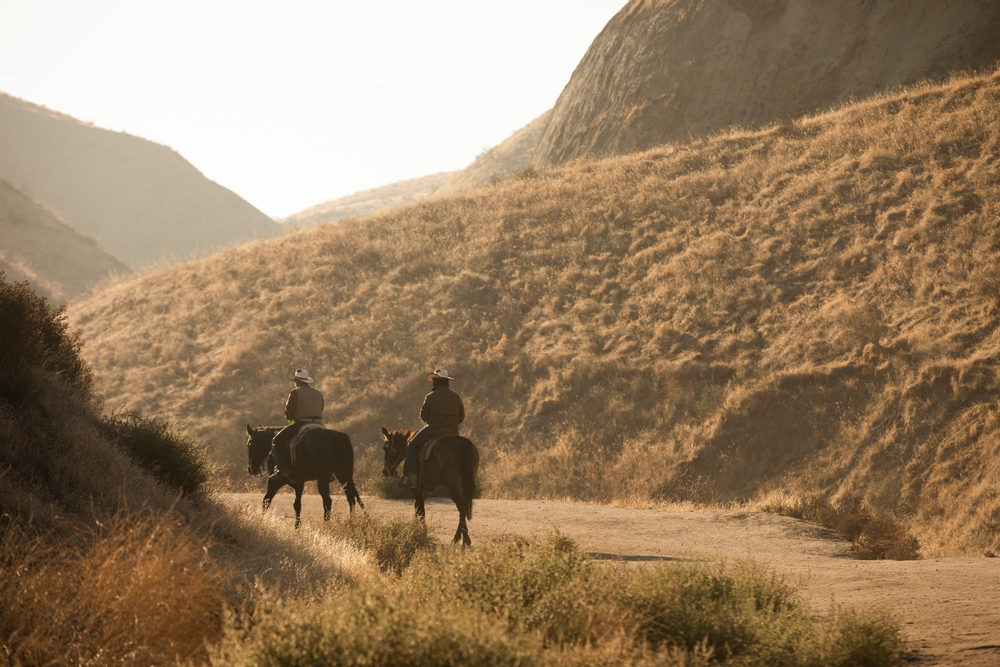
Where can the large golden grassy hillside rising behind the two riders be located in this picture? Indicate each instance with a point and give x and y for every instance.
(810, 307)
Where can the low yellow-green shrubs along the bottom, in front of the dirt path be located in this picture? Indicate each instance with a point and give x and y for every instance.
(544, 602)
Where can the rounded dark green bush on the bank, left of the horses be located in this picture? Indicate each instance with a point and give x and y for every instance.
(160, 449)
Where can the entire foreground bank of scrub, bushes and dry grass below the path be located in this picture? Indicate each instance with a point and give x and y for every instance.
(104, 561)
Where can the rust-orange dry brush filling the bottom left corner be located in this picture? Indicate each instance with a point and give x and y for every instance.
(135, 590)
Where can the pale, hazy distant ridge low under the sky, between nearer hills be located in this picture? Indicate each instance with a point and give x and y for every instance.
(364, 203)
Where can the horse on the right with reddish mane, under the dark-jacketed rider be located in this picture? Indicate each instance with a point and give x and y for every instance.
(453, 464)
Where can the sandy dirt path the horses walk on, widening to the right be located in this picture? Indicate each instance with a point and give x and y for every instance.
(947, 606)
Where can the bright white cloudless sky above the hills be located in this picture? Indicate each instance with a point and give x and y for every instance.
(290, 104)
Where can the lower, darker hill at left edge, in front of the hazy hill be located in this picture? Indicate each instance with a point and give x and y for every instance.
(39, 247)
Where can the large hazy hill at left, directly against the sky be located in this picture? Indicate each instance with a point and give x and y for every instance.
(143, 202)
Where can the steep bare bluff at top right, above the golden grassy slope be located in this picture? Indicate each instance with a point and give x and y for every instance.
(667, 70)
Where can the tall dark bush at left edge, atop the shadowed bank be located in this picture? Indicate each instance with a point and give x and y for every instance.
(36, 335)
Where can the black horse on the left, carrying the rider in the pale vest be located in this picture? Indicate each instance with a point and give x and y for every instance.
(322, 455)
